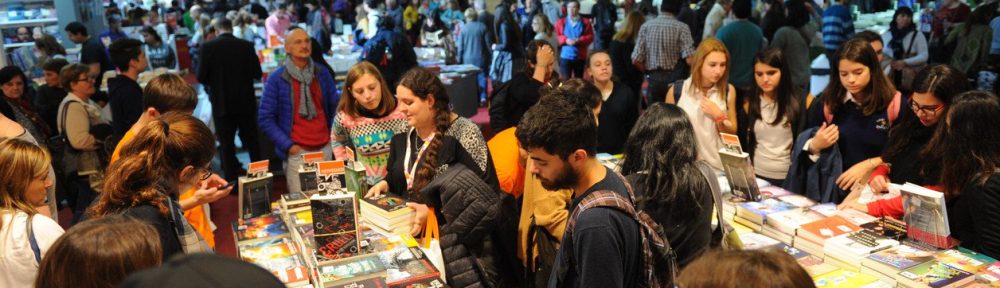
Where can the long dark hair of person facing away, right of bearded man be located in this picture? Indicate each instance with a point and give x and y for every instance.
(662, 145)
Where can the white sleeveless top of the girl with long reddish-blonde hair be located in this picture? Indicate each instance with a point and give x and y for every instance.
(704, 126)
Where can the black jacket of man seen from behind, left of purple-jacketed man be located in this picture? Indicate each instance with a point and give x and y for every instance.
(229, 67)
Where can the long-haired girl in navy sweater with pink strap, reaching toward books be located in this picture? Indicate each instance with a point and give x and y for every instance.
(857, 104)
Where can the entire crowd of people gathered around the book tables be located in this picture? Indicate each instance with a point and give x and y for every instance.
(526, 203)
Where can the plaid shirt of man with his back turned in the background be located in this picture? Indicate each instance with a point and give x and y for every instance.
(661, 42)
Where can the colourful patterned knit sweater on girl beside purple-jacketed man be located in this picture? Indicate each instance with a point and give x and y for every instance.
(369, 138)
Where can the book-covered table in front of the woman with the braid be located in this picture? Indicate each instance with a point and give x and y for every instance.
(285, 243)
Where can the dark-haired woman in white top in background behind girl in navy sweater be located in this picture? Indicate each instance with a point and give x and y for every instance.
(906, 47)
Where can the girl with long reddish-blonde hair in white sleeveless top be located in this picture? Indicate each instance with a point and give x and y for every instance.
(708, 99)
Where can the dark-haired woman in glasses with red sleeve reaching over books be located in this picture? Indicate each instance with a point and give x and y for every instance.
(913, 153)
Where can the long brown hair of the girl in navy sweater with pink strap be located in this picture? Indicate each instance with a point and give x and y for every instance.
(879, 91)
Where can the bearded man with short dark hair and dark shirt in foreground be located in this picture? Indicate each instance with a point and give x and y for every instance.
(604, 246)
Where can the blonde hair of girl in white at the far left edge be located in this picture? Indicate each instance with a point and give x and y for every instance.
(20, 163)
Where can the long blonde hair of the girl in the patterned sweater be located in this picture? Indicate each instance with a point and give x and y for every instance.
(349, 105)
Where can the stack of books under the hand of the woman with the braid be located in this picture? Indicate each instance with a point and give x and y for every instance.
(387, 214)
